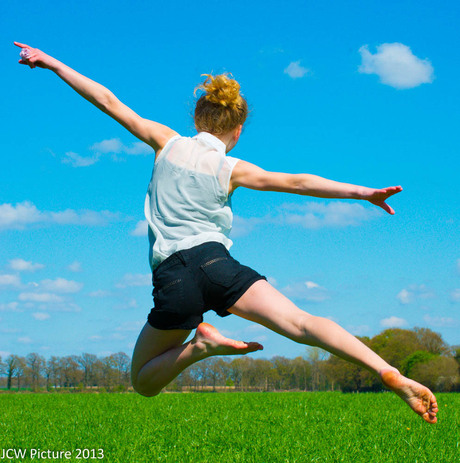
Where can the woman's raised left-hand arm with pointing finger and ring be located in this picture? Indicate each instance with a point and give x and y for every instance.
(150, 132)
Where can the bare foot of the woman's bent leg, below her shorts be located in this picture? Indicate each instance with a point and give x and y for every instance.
(211, 342)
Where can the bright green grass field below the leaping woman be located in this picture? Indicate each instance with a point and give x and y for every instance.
(234, 427)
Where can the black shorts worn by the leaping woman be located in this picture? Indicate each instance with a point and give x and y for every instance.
(193, 281)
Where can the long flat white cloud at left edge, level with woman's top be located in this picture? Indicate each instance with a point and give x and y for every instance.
(23, 214)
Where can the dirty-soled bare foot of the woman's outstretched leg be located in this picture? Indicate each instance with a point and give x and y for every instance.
(417, 396)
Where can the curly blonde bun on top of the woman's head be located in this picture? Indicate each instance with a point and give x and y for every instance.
(221, 89)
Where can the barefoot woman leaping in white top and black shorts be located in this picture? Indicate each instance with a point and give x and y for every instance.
(189, 214)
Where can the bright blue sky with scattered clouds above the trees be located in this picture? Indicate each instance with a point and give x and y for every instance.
(359, 92)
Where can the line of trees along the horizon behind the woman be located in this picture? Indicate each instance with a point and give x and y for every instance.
(420, 354)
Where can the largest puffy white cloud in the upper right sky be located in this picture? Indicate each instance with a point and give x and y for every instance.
(396, 66)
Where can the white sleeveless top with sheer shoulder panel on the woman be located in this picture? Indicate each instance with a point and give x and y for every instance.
(187, 201)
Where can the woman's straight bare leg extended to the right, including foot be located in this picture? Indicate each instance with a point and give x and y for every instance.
(263, 304)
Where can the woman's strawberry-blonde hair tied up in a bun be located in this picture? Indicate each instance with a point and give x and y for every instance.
(221, 108)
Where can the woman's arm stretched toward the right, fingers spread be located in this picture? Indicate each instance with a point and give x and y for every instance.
(250, 176)
